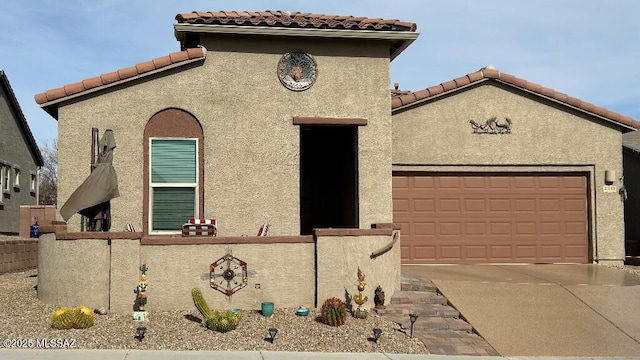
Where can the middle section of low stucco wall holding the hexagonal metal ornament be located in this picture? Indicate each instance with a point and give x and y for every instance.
(285, 274)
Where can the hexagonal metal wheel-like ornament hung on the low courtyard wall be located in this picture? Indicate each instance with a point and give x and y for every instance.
(225, 272)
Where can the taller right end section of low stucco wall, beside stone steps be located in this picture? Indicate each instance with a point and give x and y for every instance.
(339, 258)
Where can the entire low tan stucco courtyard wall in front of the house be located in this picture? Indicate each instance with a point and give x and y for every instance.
(288, 274)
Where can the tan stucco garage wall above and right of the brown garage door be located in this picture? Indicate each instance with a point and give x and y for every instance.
(437, 136)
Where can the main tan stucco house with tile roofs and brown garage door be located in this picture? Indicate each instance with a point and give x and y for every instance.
(278, 122)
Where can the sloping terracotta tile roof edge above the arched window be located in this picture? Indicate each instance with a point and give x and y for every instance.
(120, 75)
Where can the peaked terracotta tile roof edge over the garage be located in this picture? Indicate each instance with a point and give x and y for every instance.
(490, 74)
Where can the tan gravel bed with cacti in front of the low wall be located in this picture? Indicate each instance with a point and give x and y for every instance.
(23, 316)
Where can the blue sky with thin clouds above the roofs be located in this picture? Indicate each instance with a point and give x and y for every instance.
(586, 49)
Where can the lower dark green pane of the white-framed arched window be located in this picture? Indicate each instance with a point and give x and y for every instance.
(172, 207)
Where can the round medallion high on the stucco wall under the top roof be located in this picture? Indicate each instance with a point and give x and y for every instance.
(297, 70)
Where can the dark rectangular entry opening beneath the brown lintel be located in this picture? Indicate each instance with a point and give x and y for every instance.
(328, 177)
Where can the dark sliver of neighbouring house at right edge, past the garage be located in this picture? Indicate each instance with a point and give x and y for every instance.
(631, 159)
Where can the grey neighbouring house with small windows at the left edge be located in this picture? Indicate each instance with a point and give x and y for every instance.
(20, 159)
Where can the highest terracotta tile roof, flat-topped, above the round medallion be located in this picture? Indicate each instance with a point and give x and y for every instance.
(293, 20)
